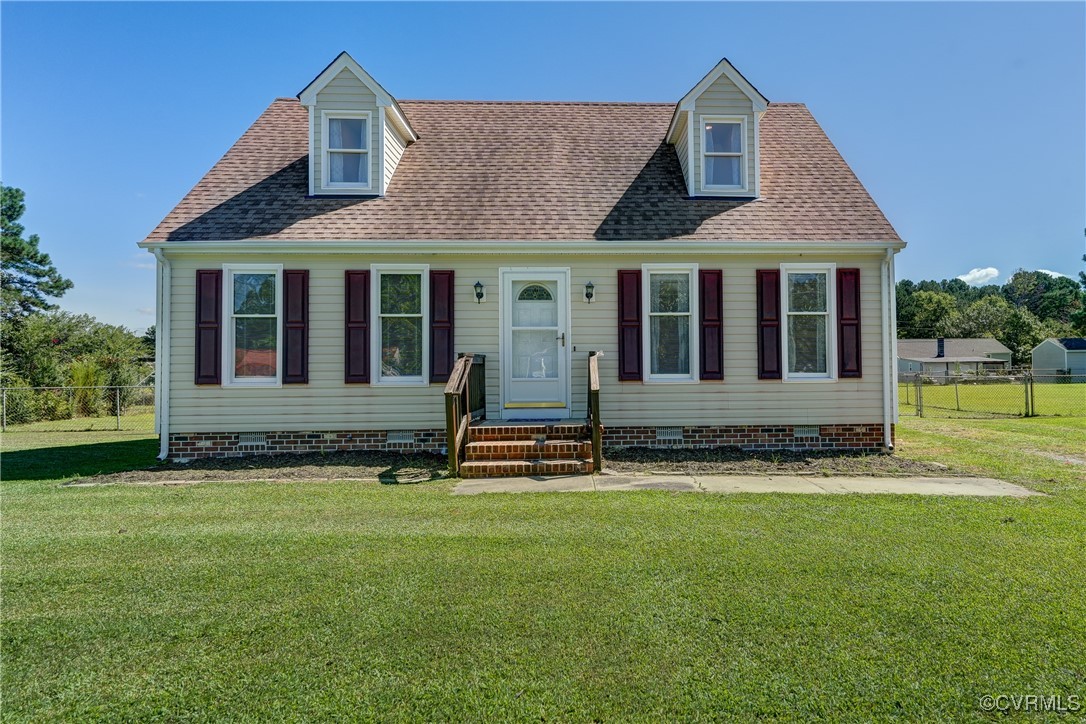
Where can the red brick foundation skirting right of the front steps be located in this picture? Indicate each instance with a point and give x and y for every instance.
(755, 438)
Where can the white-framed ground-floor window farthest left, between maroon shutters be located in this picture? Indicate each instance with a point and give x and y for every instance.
(252, 309)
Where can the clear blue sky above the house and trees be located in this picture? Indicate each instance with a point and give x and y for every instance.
(966, 122)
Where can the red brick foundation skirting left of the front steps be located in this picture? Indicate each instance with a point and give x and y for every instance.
(192, 446)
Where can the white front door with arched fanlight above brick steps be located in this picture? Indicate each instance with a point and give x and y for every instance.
(535, 345)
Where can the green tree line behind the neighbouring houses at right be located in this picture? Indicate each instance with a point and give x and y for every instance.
(1029, 309)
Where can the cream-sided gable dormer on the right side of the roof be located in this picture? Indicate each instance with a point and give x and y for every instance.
(715, 134)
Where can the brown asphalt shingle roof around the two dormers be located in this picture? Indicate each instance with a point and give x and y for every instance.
(521, 171)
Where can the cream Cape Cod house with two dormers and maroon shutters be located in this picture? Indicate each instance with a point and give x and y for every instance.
(731, 272)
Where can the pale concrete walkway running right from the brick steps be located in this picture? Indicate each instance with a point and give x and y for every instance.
(979, 487)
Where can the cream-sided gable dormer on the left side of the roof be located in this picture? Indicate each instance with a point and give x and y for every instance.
(358, 132)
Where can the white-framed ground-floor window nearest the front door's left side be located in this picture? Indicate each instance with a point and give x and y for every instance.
(401, 299)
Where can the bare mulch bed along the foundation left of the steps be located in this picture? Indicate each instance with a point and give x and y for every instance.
(384, 467)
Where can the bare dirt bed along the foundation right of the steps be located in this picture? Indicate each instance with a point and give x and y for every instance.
(735, 461)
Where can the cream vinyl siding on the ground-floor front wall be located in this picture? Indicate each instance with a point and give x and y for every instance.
(326, 403)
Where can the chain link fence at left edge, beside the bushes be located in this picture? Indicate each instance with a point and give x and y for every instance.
(78, 410)
